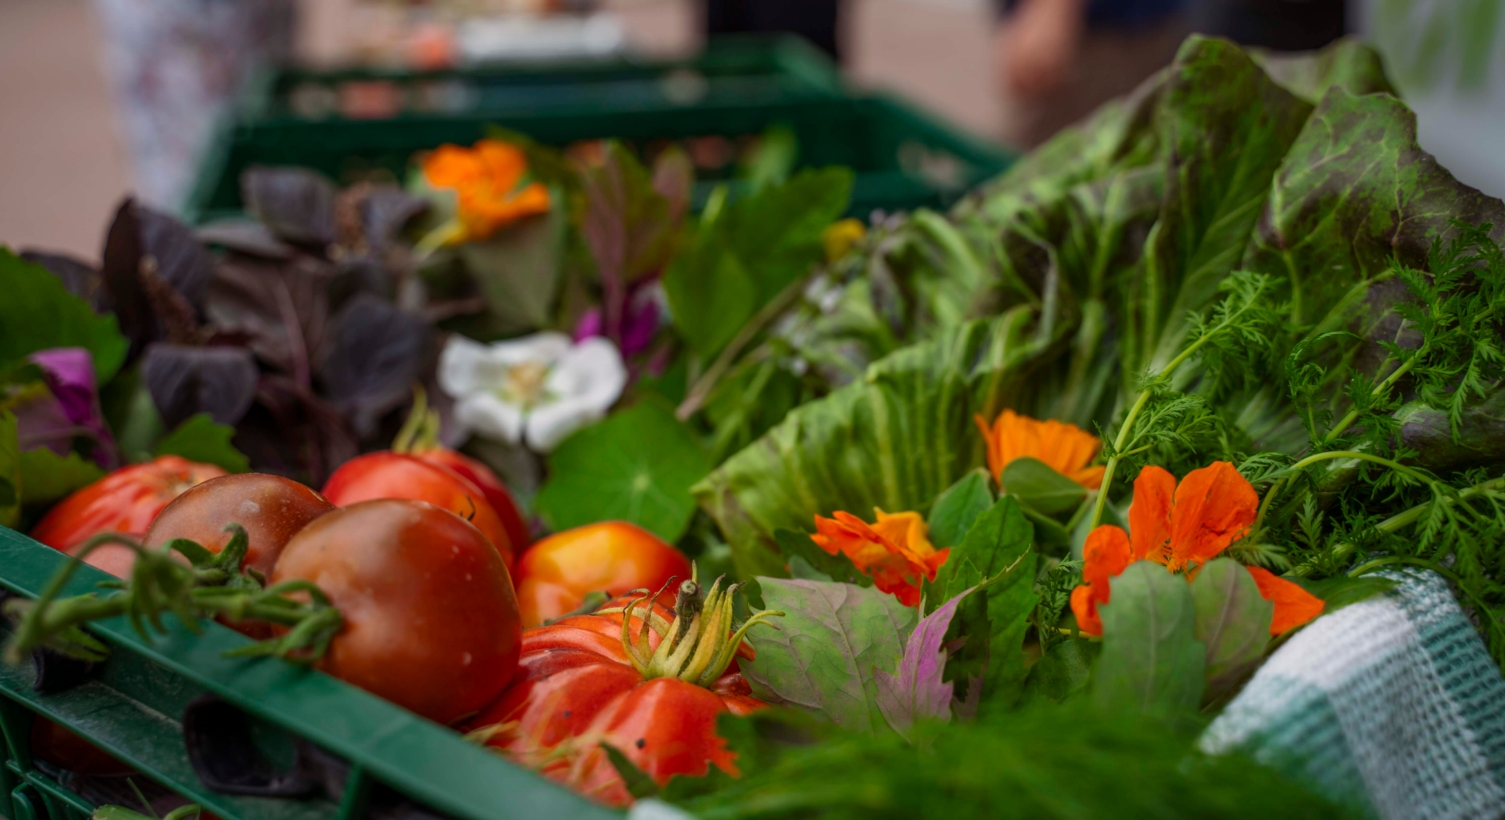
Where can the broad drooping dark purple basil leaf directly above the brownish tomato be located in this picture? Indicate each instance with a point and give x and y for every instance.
(186, 381)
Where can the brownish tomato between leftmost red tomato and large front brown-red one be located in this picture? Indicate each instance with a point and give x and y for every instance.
(270, 508)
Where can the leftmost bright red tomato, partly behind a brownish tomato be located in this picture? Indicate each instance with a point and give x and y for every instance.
(124, 502)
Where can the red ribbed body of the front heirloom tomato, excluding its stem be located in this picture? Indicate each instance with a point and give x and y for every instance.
(577, 690)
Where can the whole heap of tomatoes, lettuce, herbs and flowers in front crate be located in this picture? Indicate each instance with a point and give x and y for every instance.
(762, 511)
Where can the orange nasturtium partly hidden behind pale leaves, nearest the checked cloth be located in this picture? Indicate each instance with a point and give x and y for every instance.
(1184, 527)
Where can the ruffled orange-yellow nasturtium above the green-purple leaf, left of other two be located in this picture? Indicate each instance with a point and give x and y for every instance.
(896, 551)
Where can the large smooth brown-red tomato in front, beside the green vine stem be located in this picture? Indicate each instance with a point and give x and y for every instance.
(431, 621)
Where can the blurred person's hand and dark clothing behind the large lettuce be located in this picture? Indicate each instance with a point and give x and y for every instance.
(1060, 59)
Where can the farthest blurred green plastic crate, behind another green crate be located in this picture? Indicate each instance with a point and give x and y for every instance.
(738, 70)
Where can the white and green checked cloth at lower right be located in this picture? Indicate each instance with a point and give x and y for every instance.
(1391, 705)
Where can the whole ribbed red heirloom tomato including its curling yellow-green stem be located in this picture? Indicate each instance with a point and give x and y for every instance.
(654, 694)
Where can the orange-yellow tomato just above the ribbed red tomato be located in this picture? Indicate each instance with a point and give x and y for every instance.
(613, 557)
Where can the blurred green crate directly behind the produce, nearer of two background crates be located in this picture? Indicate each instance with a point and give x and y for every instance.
(904, 159)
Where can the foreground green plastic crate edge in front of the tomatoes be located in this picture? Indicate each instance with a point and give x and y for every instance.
(133, 705)
